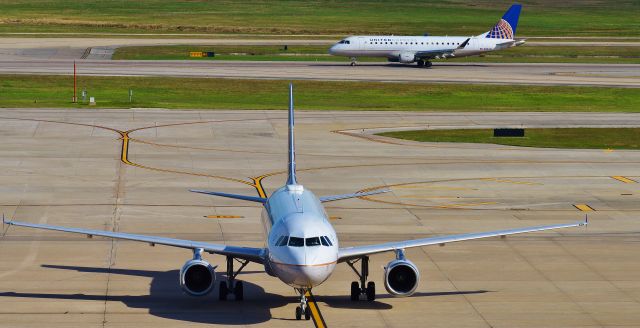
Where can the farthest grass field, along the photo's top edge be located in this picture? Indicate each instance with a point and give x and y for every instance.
(540, 18)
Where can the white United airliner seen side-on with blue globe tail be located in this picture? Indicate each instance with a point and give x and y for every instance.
(421, 49)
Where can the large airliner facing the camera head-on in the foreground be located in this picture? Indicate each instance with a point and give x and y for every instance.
(301, 246)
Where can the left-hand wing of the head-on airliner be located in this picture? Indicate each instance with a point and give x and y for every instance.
(246, 253)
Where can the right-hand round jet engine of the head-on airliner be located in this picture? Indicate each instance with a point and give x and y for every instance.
(401, 277)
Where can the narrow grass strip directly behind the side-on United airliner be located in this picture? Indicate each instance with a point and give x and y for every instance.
(528, 54)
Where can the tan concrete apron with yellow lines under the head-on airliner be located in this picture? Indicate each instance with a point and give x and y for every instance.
(66, 167)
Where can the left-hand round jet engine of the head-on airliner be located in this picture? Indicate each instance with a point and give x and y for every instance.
(197, 277)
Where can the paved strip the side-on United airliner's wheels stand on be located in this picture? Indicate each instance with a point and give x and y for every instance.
(627, 76)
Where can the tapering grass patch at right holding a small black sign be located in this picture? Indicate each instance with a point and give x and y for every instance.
(579, 138)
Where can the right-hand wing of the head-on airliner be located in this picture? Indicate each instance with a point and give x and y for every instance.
(348, 253)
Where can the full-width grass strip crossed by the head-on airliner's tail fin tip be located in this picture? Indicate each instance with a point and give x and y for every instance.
(187, 93)
